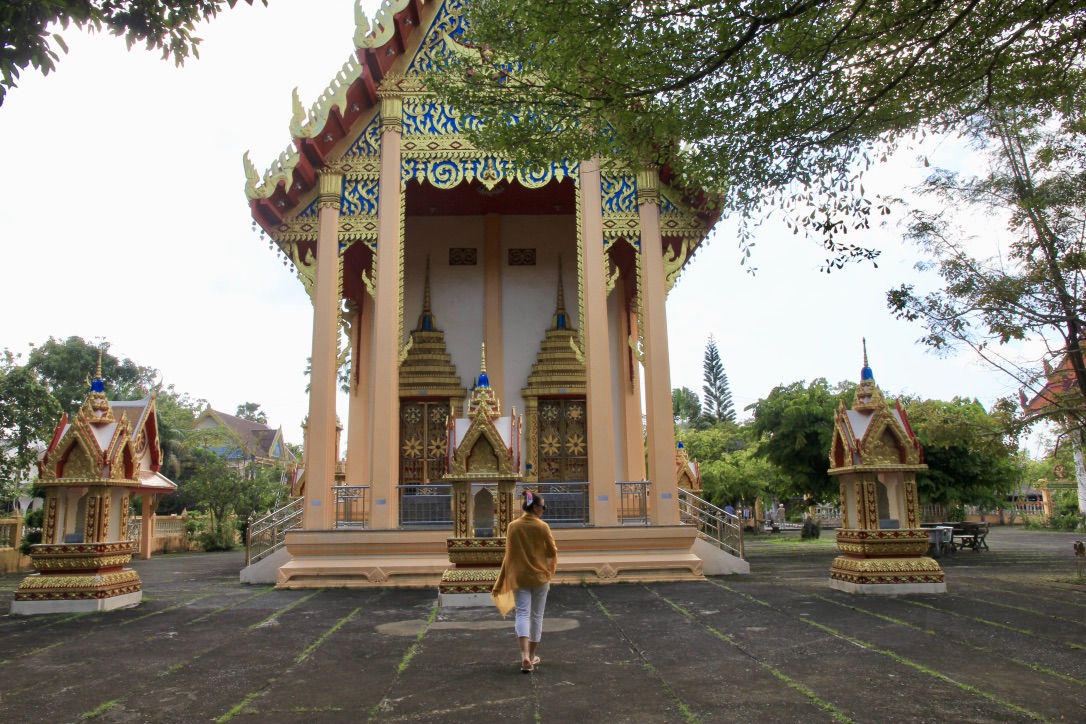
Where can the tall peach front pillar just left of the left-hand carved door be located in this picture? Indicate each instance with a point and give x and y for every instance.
(387, 340)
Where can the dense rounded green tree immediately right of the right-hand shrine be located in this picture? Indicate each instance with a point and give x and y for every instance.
(970, 459)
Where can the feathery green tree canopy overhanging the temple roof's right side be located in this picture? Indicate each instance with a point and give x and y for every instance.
(772, 104)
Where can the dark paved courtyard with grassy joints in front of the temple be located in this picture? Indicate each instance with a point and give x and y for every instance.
(1006, 643)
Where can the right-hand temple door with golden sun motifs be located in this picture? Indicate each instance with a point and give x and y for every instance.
(563, 441)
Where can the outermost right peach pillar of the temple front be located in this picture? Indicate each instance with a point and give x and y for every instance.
(661, 422)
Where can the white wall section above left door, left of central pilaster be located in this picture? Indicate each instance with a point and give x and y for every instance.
(457, 293)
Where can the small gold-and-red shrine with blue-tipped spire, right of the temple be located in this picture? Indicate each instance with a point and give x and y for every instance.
(877, 456)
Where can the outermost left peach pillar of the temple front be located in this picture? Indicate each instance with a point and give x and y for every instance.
(321, 451)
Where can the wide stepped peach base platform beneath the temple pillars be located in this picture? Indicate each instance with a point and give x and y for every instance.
(398, 558)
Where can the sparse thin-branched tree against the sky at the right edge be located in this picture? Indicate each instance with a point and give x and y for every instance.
(1033, 290)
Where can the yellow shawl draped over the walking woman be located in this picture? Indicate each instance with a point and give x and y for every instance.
(532, 558)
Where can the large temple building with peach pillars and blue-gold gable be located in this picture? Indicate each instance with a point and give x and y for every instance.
(388, 214)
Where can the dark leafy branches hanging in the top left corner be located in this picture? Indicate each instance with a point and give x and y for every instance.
(27, 29)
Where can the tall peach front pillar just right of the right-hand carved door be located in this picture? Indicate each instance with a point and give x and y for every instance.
(597, 346)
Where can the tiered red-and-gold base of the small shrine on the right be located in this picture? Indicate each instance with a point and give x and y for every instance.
(886, 563)
